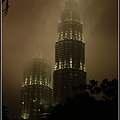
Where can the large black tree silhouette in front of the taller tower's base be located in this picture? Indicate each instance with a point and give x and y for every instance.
(84, 105)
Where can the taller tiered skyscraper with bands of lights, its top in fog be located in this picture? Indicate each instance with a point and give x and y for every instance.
(69, 54)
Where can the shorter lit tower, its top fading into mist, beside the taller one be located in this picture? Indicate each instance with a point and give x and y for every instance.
(36, 91)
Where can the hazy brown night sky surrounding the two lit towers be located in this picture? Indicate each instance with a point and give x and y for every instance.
(30, 28)
